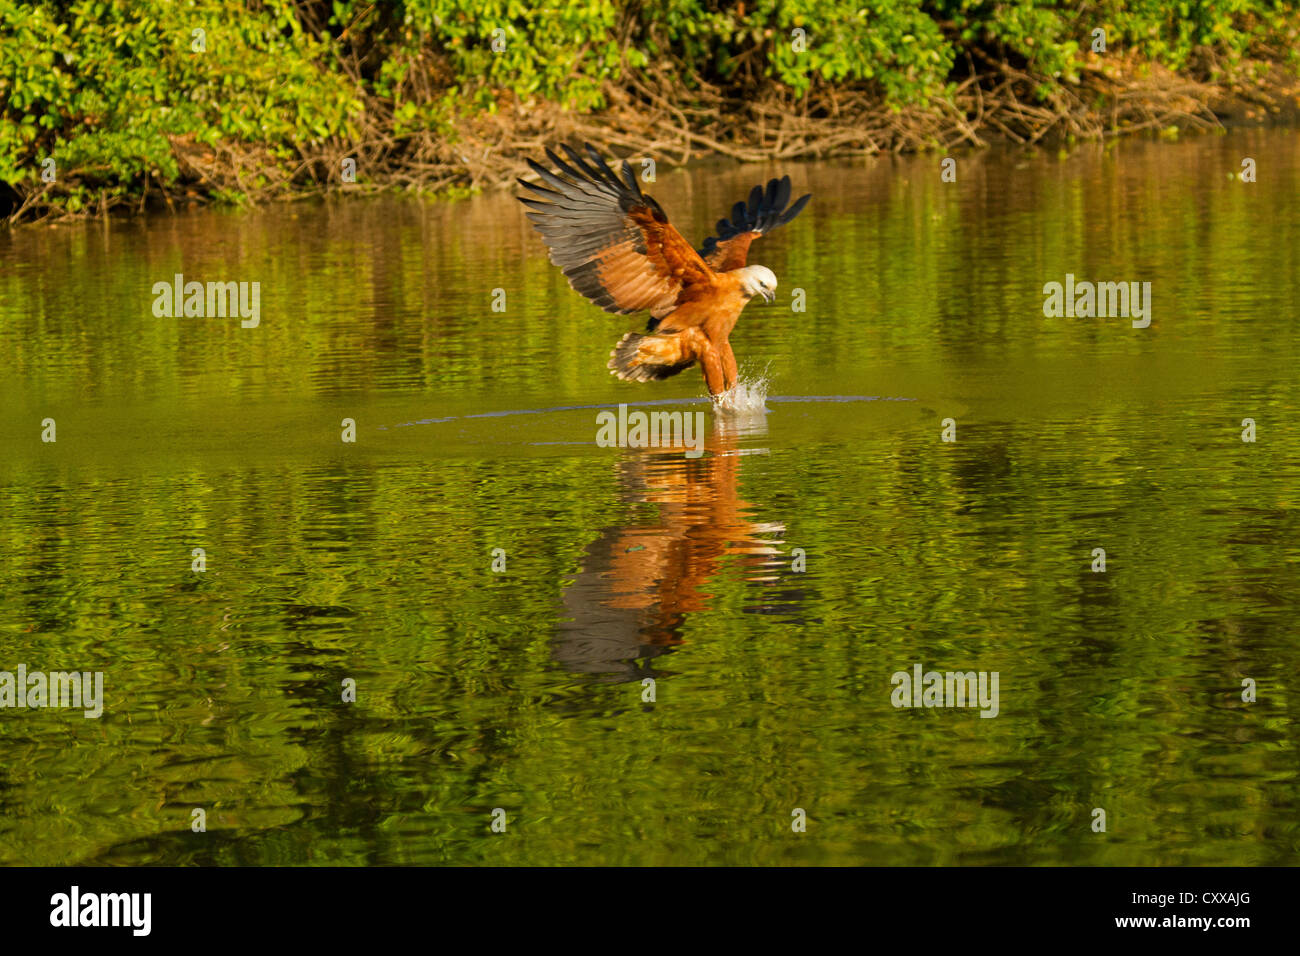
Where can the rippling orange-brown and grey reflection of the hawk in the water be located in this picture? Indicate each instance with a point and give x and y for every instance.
(644, 577)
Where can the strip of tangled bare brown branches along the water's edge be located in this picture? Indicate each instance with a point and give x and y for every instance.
(488, 150)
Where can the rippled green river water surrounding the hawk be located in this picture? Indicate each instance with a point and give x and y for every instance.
(523, 690)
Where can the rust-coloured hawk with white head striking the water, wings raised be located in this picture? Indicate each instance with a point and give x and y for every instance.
(619, 250)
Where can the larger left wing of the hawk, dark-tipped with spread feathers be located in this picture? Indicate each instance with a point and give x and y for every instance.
(612, 240)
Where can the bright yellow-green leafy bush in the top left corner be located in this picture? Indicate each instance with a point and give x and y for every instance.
(105, 89)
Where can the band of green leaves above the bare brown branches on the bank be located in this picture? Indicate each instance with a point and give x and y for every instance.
(119, 98)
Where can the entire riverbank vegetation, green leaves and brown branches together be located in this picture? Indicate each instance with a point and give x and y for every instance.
(120, 106)
